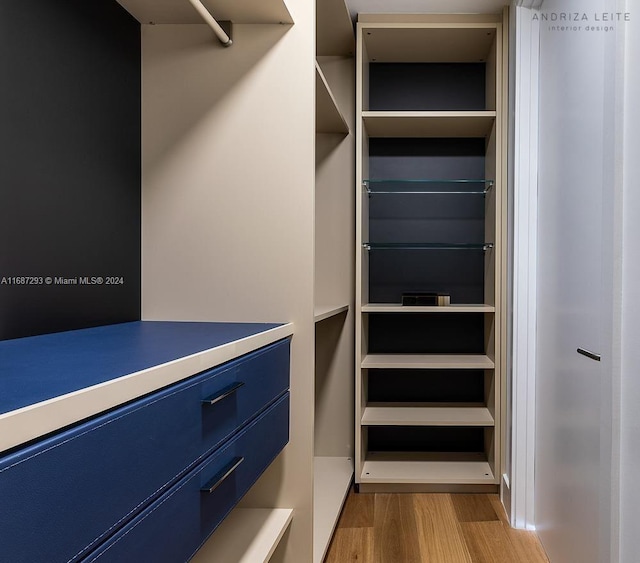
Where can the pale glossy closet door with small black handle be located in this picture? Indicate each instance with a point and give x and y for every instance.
(575, 260)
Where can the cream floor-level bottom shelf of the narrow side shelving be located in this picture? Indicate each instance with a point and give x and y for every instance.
(332, 477)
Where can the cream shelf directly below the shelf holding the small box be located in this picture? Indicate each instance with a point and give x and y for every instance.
(427, 361)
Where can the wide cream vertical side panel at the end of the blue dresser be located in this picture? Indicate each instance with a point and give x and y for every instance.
(228, 206)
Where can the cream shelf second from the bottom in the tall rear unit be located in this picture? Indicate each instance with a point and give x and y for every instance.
(426, 416)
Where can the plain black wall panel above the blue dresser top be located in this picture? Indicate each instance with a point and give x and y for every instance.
(69, 165)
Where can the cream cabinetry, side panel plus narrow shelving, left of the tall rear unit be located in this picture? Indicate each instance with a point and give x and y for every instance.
(248, 206)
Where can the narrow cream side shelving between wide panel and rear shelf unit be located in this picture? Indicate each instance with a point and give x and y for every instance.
(334, 274)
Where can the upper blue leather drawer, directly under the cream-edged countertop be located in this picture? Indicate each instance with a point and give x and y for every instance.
(63, 495)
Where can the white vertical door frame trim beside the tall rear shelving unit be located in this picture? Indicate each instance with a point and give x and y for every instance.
(521, 380)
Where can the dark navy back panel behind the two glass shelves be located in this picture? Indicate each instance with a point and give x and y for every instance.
(433, 218)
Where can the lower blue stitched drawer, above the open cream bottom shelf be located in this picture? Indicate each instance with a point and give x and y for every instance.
(173, 528)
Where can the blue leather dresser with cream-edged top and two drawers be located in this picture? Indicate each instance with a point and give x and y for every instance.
(151, 479)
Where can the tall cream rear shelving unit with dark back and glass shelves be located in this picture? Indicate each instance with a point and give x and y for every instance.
(428, 378)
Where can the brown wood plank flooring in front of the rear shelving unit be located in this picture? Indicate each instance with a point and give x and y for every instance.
(429, 528)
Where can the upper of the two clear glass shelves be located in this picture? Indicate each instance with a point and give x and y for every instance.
(420, 186)
